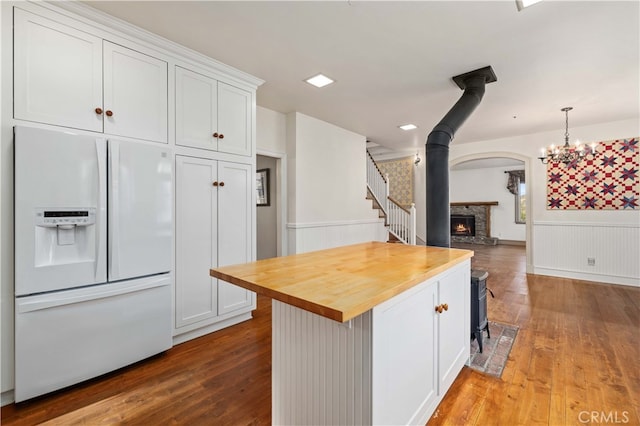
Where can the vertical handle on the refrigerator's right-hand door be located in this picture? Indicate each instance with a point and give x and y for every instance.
(114, 210)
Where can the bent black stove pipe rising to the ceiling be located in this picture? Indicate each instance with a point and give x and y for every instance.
(437, 154)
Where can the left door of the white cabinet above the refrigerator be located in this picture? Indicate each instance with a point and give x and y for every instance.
(57, 73)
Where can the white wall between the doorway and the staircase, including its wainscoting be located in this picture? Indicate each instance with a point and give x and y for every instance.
(327, 186)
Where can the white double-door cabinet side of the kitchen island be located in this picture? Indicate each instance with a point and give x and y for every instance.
(417, 351)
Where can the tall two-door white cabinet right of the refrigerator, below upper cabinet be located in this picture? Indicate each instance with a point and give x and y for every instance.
(213, 228)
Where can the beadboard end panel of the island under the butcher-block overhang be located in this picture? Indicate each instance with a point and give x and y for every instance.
(321, 368)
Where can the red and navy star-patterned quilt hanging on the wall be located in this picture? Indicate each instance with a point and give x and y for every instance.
(610, 181)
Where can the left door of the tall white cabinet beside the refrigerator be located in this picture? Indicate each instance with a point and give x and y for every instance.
(196, 240)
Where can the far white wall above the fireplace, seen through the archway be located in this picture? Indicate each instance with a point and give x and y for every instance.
(489, 184)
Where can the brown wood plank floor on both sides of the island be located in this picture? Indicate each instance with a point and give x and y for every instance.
(575, 361)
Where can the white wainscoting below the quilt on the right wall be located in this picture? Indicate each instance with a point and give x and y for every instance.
(603, 252)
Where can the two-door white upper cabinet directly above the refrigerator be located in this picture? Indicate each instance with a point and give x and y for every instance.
(60, 75)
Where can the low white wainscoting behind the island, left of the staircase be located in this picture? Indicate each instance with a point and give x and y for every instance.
(305, 237)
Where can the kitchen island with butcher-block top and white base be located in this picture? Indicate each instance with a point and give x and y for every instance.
(371, 333)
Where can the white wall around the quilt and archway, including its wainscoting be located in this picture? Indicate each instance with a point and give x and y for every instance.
(561, 241)
